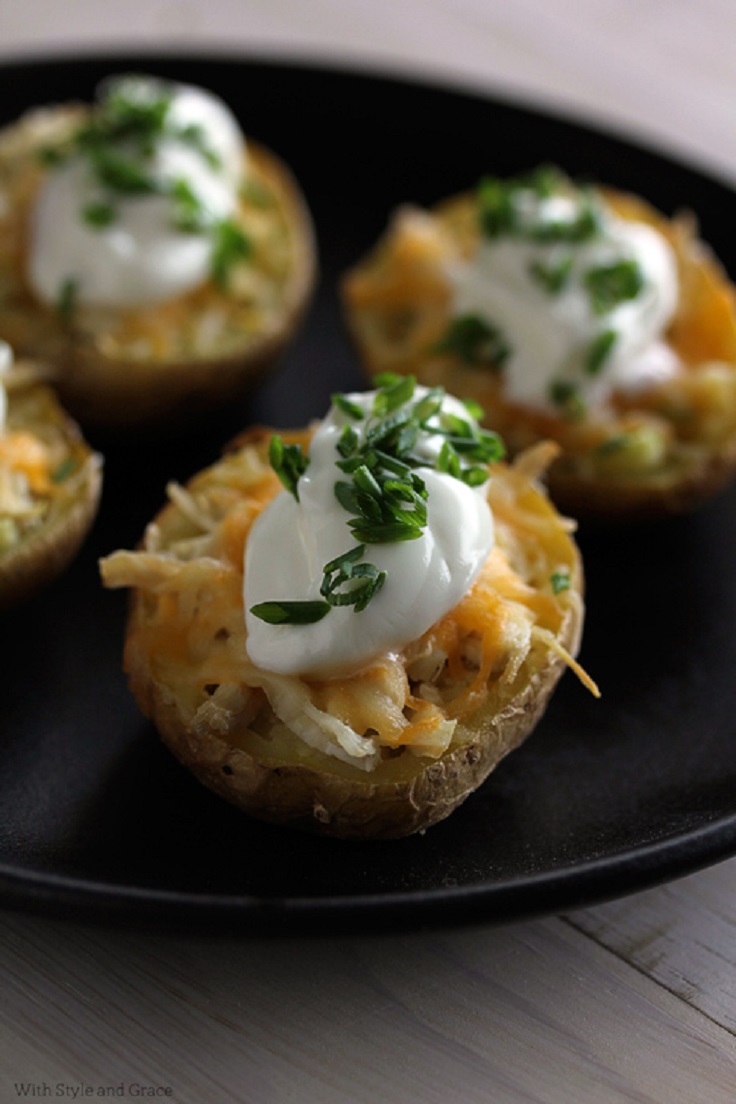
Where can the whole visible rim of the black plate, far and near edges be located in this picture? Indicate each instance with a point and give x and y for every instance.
(517, 898)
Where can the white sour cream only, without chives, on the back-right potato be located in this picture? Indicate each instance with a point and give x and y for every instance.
(549, 336)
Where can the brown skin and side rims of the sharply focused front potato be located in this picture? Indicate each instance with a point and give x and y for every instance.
(307, 790)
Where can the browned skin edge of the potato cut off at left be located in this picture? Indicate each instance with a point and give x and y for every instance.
(47, 553)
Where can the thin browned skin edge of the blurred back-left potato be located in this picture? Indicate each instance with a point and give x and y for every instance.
(111, 394)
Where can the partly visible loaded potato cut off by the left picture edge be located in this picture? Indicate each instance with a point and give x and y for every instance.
(50, 487)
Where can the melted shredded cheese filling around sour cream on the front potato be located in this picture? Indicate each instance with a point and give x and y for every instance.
(189, 625)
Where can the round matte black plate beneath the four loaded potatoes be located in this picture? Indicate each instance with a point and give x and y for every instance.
(97, 820)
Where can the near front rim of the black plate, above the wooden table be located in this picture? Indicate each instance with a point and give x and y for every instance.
(527, 897)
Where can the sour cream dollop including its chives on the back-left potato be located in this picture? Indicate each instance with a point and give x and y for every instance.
(121, 247)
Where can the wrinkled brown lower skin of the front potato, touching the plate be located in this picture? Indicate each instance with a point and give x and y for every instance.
(319, 801)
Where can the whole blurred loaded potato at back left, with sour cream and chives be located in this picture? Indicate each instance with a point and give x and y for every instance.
(157, 357)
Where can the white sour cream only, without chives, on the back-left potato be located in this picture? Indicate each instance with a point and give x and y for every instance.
(141, 257)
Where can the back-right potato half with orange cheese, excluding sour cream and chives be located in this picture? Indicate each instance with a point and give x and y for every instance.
(657, 453)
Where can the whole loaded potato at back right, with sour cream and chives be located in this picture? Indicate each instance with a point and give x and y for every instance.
(574, 314)
